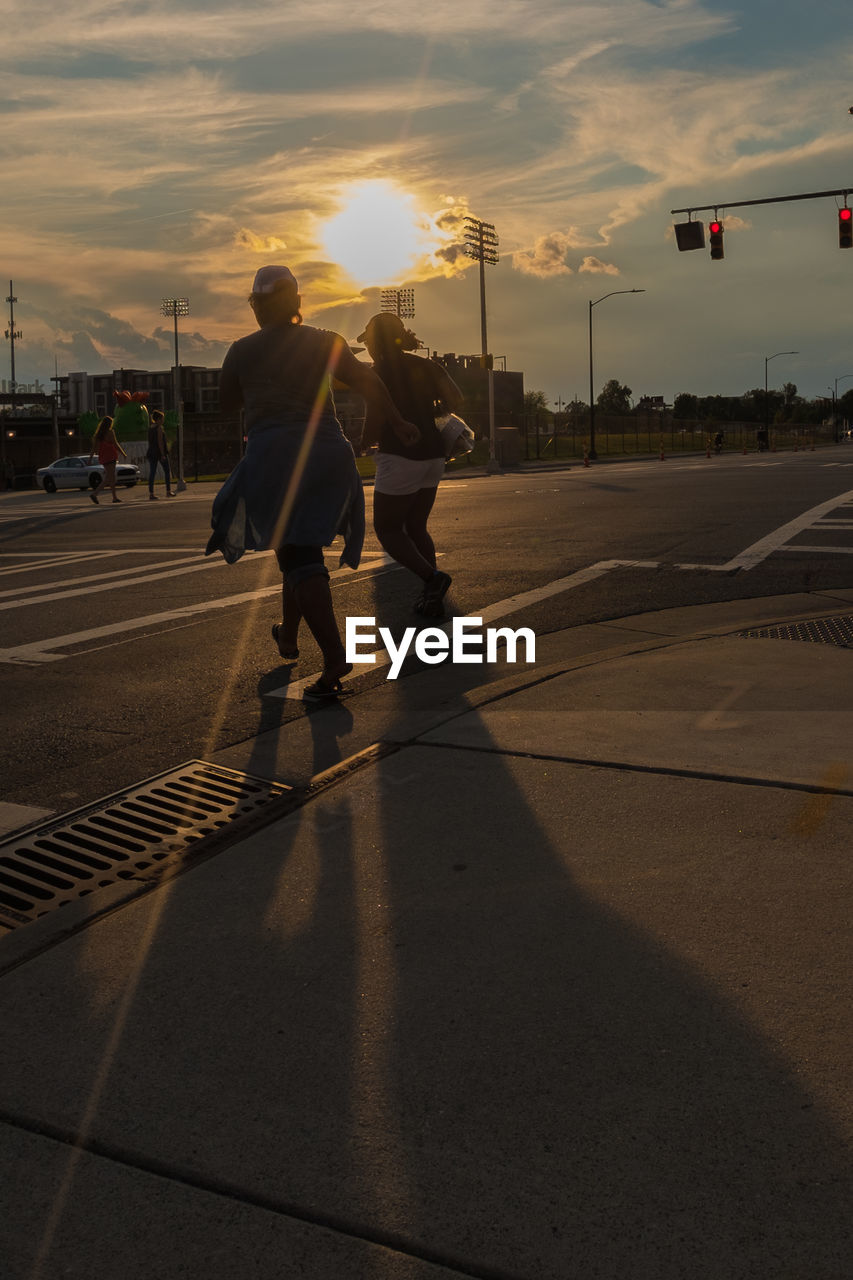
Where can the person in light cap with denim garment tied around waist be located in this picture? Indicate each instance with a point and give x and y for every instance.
(298, 486)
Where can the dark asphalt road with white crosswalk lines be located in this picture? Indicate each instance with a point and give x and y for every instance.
(126, 652)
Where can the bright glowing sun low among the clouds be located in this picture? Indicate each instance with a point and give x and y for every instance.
(378, 237)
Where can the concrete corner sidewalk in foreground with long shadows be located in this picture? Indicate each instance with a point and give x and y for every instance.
(555, 986)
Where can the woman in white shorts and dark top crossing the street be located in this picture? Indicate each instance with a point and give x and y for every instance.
(408, 476)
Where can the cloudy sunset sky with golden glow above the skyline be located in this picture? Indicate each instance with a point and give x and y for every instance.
(171, 149)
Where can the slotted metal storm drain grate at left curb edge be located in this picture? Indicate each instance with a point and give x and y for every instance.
(124, 838)
